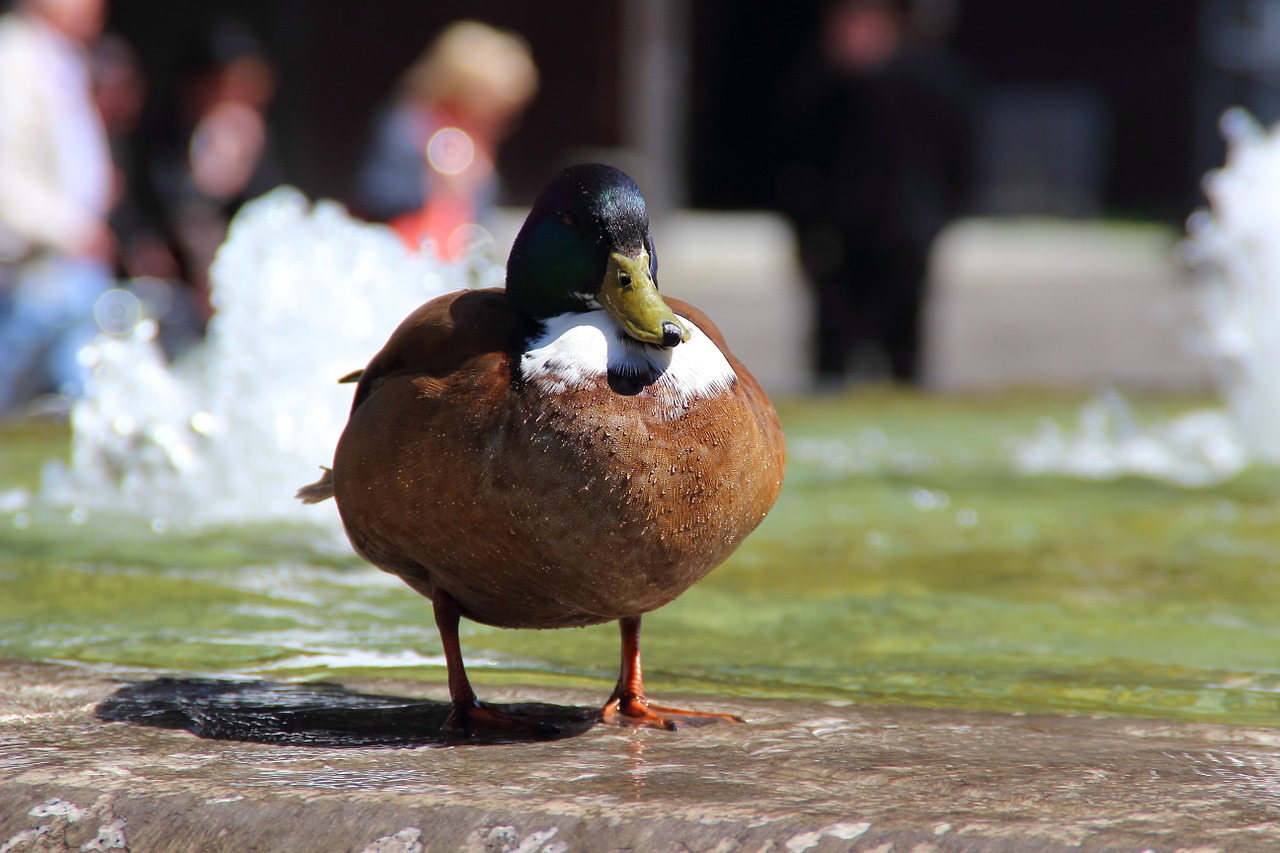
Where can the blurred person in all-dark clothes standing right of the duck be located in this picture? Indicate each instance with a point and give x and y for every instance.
(875, 159)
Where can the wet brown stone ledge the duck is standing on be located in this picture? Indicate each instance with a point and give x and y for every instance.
(360, 769)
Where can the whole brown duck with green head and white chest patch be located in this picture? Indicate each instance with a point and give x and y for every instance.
(570, 450)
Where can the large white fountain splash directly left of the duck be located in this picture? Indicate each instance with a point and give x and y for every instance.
(303, 297)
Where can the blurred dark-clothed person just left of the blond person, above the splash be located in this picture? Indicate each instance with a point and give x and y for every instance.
(221, 152)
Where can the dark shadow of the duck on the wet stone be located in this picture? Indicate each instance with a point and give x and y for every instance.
(319, 715)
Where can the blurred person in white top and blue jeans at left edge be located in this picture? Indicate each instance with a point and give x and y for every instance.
(56, 194)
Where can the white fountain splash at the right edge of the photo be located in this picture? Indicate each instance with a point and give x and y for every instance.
(1236, 252)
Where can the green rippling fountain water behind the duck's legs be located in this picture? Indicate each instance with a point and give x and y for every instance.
(908, 562)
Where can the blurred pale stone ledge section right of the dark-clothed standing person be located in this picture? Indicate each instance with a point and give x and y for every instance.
(1060, 304)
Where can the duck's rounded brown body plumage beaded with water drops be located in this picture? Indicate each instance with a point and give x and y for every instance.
(538, 510)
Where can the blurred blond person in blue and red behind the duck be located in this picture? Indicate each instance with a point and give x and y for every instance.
(429, 168)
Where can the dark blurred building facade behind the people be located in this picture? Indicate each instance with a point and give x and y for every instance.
(1089, 107)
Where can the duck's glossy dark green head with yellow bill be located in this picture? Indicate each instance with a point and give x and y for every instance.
(587, 245)
